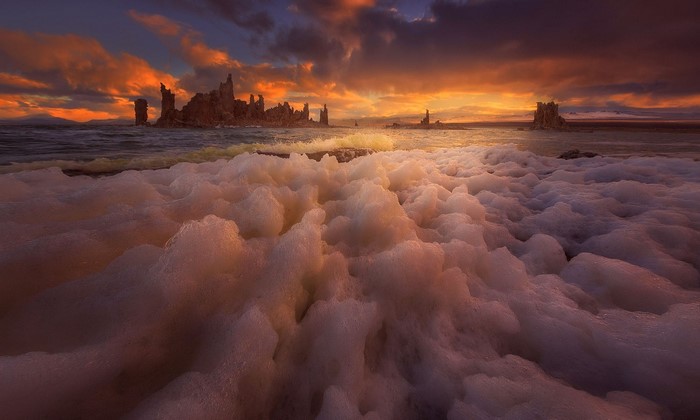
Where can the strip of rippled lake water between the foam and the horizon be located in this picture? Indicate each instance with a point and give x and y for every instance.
(114, 148)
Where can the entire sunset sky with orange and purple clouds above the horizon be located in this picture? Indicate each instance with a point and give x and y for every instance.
(464, 60)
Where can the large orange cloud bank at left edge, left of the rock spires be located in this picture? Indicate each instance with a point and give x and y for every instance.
(87, 80)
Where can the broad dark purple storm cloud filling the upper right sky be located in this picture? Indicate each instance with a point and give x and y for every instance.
(559, 47)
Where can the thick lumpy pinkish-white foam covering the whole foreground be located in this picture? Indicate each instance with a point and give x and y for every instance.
(466, 283)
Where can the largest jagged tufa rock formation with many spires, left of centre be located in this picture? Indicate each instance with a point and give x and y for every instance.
(220, 107)
